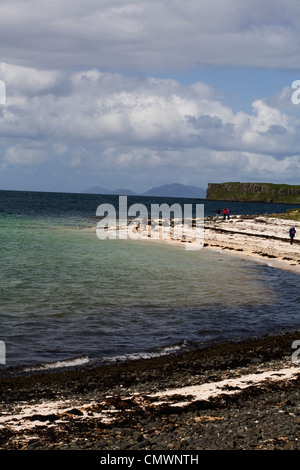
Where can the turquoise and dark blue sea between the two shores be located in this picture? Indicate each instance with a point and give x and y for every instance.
(70, 299)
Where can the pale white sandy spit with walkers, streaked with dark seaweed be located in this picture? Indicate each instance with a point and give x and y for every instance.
(262, 238)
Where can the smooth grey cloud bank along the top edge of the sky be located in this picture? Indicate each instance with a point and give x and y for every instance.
(148, 35)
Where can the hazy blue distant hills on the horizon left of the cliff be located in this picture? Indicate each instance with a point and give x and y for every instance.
(167, 190)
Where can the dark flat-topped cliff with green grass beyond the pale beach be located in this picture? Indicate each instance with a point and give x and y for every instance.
(254, 192)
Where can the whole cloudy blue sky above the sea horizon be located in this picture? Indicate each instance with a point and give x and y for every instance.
(141, 93)
